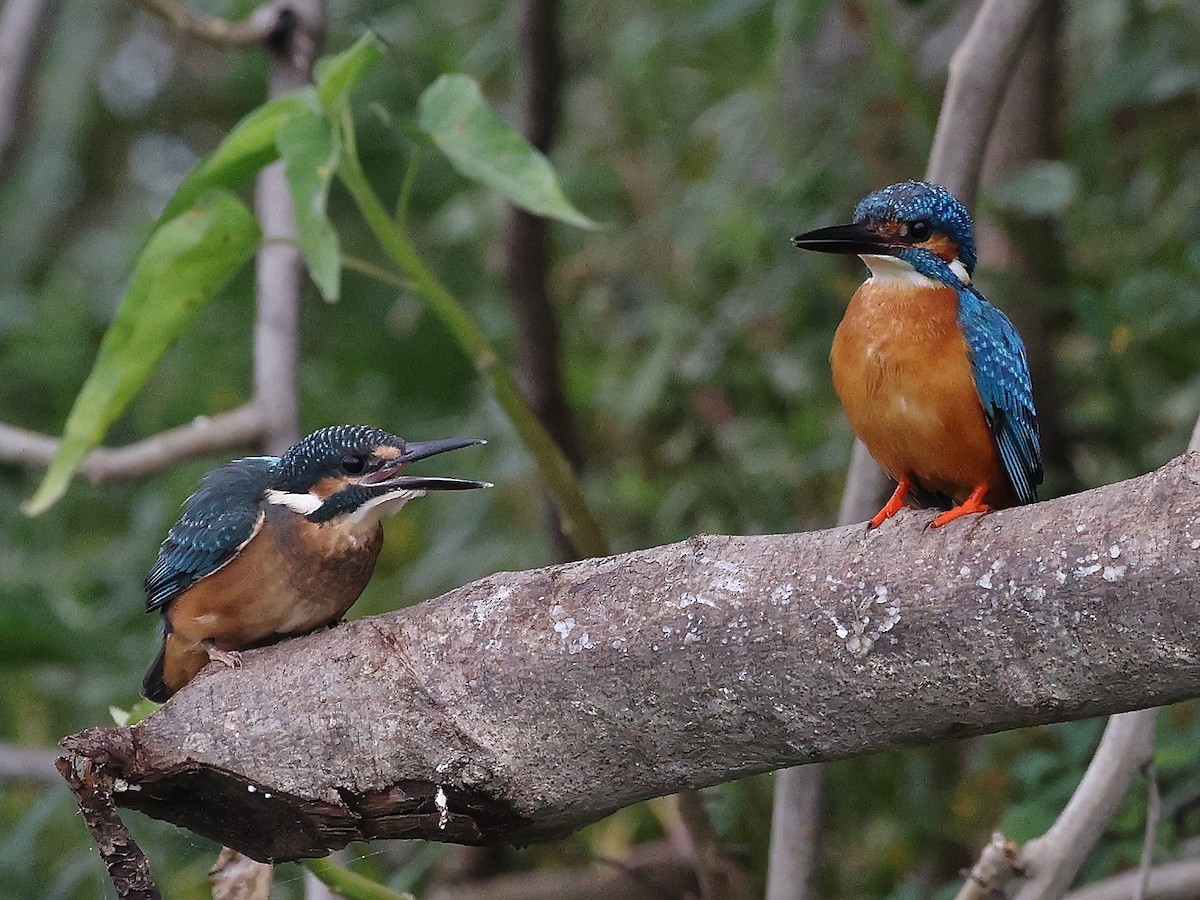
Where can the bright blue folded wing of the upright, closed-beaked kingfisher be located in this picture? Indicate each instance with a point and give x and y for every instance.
(1003, 380)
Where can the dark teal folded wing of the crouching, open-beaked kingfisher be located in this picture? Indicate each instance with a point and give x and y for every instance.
(221, 518)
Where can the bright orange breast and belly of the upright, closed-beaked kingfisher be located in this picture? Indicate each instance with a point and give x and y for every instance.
(902, 370)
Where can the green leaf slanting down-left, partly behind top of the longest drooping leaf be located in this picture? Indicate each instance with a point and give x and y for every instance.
(244, 152)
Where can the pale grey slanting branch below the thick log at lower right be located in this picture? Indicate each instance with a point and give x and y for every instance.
(1054, 860)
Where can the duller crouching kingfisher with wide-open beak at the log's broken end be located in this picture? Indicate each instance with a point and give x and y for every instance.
(277, 547)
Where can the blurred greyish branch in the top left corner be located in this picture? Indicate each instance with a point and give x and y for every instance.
(25, 28)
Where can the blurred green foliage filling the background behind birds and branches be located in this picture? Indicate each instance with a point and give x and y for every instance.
(695, 351)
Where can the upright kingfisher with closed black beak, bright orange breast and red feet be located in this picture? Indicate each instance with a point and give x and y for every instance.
(933, 377)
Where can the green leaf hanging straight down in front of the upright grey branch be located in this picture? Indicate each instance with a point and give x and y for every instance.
(311, 153)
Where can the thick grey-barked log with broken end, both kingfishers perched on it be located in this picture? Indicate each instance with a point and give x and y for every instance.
(527, 705)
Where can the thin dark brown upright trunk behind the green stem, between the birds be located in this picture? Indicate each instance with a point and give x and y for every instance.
(527, 249)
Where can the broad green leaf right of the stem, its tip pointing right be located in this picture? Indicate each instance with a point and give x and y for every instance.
(453, 112)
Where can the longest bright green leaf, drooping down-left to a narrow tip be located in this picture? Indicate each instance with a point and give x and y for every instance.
(184, 265)
